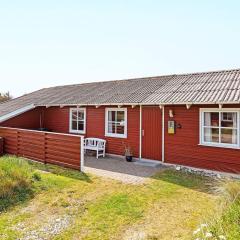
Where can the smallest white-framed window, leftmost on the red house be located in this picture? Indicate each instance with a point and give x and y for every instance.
(77, 120)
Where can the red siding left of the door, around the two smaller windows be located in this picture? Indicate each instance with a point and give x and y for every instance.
(57, 119)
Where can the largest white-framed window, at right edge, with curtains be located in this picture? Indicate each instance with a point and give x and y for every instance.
(220, 127)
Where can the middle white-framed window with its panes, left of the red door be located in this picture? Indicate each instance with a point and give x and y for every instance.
(116, 122)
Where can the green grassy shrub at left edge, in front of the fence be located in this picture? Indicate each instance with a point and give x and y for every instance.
(15, 181)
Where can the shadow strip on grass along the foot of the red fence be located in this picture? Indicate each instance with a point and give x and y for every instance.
(66, 172)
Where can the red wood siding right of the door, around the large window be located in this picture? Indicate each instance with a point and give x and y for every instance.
(183, 147)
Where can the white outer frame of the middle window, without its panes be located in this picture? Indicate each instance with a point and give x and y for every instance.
(117, 135)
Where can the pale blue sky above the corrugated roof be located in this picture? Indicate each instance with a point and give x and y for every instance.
(47, 43)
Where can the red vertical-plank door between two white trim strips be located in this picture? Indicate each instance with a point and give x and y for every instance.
(152, 137)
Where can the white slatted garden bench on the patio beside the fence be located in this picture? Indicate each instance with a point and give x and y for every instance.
(95, 144)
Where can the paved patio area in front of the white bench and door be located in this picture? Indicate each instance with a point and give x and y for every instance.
(119, 169)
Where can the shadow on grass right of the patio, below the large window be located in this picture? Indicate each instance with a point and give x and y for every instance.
(187, 180)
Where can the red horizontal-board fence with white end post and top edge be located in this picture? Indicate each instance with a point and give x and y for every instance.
(46, 147)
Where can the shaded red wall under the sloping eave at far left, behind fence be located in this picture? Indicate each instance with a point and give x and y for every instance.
(27, 120)
